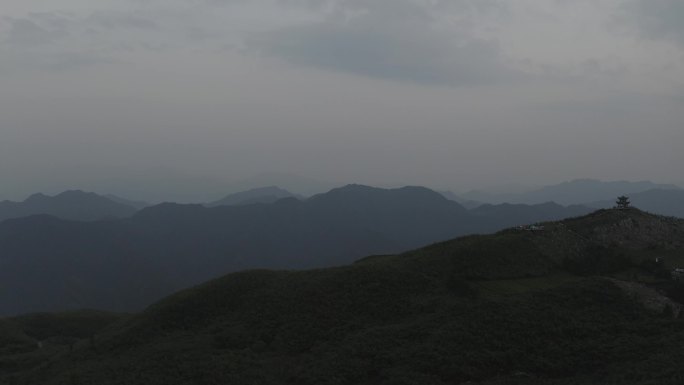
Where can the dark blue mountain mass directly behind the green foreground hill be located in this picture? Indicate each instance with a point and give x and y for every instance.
(125, 264)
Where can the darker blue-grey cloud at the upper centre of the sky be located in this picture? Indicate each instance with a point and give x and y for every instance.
(399, 40)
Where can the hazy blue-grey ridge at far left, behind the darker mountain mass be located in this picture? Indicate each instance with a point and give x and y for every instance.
(71, 205)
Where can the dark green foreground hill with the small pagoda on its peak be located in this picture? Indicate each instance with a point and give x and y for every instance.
(566, 305)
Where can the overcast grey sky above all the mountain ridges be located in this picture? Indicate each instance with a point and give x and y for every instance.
(183, 99)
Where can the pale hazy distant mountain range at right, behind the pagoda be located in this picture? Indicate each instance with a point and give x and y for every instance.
(579, 191)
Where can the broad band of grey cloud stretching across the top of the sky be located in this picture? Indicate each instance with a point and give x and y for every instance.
(455, 42)
